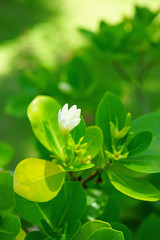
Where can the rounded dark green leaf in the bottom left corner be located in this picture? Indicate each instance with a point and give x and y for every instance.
(10, 227)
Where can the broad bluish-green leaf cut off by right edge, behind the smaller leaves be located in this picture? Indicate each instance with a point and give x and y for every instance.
(149, 122)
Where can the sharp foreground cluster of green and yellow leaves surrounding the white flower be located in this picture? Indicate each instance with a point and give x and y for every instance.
(49, 193)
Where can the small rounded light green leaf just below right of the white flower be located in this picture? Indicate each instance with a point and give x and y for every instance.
(94, 140)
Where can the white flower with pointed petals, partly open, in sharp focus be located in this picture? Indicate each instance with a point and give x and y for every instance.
(68, 118)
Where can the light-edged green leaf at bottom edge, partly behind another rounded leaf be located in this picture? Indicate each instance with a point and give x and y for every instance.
(89, 227)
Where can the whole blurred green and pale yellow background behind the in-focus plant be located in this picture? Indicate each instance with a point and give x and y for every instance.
(75, 51)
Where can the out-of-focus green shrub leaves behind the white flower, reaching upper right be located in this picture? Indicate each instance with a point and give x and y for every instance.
(127, 51)
